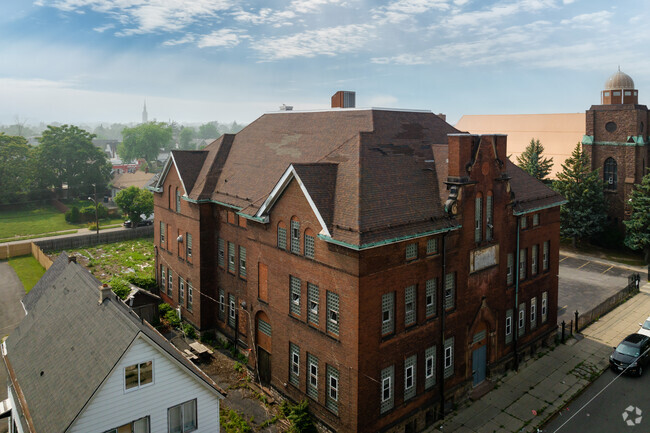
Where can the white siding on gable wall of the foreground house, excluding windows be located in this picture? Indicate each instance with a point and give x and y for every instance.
(173, 385)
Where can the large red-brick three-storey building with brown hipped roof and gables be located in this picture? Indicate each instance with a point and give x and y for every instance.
(328, 242)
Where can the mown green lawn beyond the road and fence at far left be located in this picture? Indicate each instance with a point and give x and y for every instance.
(36, 221)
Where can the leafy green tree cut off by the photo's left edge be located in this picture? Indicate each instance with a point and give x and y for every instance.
(16, 168)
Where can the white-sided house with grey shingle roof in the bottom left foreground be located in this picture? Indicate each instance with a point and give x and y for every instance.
(82, 361)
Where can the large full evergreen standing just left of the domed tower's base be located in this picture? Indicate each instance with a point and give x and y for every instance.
(584, 214)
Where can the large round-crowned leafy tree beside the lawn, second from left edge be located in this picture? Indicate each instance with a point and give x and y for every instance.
(67, 155)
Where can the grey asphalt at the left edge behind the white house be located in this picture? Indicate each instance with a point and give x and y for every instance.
(11, 313)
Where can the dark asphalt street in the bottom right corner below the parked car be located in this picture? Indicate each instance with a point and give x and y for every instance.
(613, 403)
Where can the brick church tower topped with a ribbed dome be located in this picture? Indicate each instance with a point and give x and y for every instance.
(616, 141)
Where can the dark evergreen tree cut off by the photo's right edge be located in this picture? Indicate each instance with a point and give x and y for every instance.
(637, 227)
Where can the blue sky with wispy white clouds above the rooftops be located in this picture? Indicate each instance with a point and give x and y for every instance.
(78, 61)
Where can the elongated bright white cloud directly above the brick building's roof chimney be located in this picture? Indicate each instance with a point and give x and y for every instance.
(327, 42)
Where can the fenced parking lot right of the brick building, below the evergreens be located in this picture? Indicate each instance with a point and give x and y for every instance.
(585, 282)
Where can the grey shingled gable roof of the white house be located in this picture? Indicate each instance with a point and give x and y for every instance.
(69, 343)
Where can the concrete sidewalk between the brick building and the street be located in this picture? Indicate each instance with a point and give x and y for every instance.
(548, 382)
